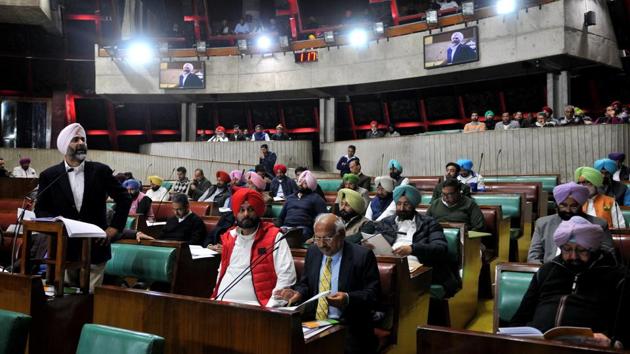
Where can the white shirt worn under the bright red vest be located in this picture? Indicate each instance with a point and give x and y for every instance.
(240, 259)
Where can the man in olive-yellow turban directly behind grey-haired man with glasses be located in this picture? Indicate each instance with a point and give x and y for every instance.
(351, 209)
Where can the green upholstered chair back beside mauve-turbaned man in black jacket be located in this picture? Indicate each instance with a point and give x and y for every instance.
(512, 282)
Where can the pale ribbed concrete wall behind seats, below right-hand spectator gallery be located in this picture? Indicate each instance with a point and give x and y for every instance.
(523, 151)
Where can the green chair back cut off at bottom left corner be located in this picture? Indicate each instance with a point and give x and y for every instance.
(14, 328)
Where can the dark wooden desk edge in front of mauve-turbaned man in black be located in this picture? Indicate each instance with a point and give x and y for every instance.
(434, 340)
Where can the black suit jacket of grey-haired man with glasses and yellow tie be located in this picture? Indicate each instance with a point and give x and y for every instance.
(358, 276)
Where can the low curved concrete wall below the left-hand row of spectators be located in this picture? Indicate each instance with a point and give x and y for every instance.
(290, 153)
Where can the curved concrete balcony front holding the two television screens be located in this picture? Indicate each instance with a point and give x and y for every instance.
(554, 29)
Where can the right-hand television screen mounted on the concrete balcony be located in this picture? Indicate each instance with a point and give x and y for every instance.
(451, 48)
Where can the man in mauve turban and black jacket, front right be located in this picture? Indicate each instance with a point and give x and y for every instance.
(581, 287)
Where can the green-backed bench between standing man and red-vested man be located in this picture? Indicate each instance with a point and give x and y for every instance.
(166, 264)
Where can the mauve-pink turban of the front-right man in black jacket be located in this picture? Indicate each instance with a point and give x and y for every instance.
(580, 231)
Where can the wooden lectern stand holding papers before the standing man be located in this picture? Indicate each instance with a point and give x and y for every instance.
(56, 260)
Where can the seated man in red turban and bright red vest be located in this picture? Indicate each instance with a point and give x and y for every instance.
(253, 241)
